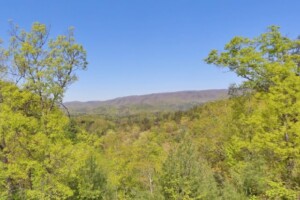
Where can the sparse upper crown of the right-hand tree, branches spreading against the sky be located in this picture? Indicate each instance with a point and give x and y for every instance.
(255, 59)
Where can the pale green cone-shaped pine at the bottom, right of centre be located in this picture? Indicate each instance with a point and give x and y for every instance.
(185, 176)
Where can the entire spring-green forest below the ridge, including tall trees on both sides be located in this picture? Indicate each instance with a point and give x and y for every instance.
(244, 147)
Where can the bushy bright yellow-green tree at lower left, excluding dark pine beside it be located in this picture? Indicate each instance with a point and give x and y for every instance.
(34, 157)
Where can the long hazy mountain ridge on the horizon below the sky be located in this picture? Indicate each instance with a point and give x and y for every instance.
(159, 102)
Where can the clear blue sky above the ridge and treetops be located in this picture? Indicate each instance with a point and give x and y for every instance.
(148, 46)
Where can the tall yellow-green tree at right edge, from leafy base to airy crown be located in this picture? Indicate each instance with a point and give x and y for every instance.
(267, 120)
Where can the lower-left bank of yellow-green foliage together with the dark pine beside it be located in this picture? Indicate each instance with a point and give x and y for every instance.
(39, 159)
